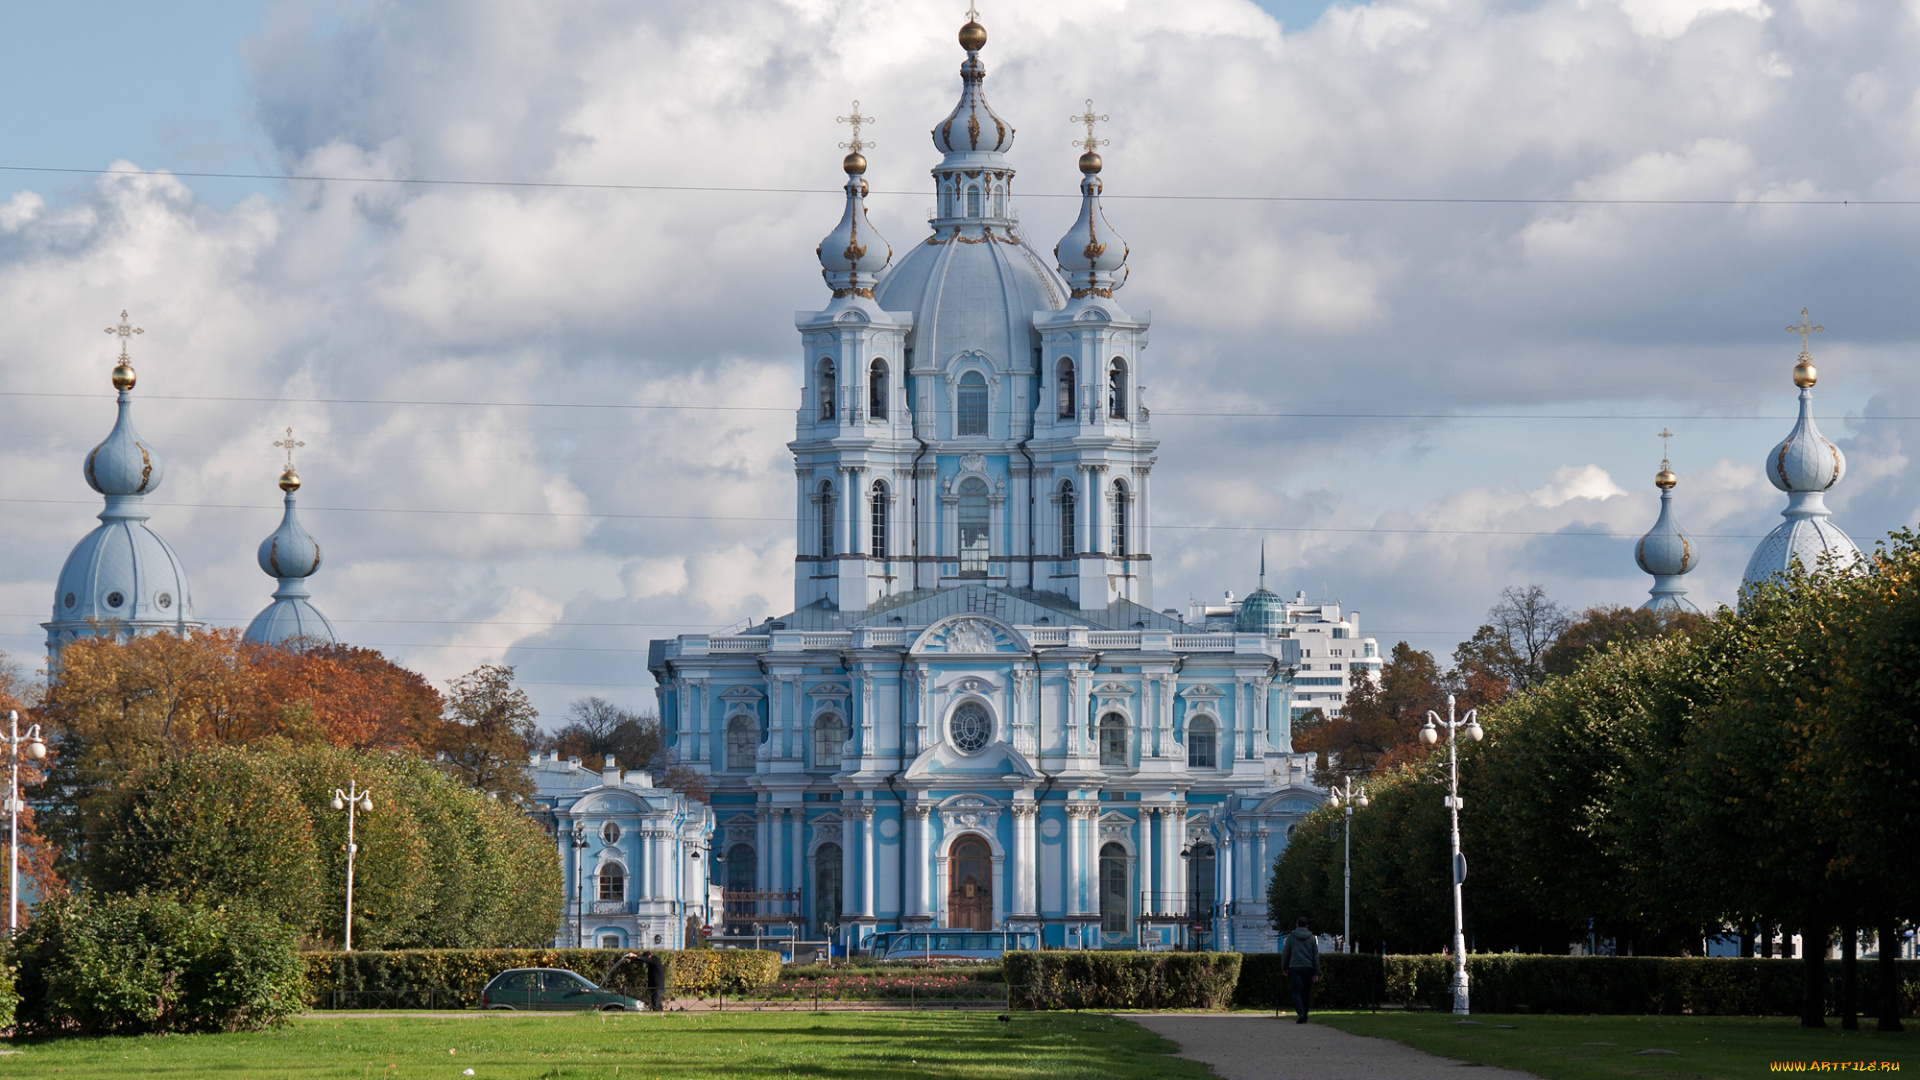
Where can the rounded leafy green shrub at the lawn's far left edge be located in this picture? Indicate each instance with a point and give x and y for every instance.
(155, 964)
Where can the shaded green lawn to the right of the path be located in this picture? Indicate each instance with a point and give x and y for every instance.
(1596, 1048)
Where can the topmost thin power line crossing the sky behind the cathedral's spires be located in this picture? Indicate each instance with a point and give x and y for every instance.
(1145, 197)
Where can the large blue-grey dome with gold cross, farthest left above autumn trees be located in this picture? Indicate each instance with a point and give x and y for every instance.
(122, 577)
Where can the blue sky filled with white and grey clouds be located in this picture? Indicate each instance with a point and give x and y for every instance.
(548, 424)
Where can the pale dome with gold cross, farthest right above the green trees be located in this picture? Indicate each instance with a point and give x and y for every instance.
(1806, 466)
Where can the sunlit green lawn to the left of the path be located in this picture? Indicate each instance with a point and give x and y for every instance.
(853, 1046)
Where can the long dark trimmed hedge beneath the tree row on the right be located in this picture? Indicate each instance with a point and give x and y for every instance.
(1514, 983)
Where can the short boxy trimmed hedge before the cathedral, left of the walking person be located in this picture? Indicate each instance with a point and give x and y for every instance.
(1120, 981)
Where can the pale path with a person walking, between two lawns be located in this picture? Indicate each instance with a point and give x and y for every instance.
(1249, 1046)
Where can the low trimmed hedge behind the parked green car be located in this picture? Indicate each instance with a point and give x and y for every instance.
(414, 979)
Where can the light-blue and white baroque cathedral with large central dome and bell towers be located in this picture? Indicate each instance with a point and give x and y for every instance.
(974, 716)
